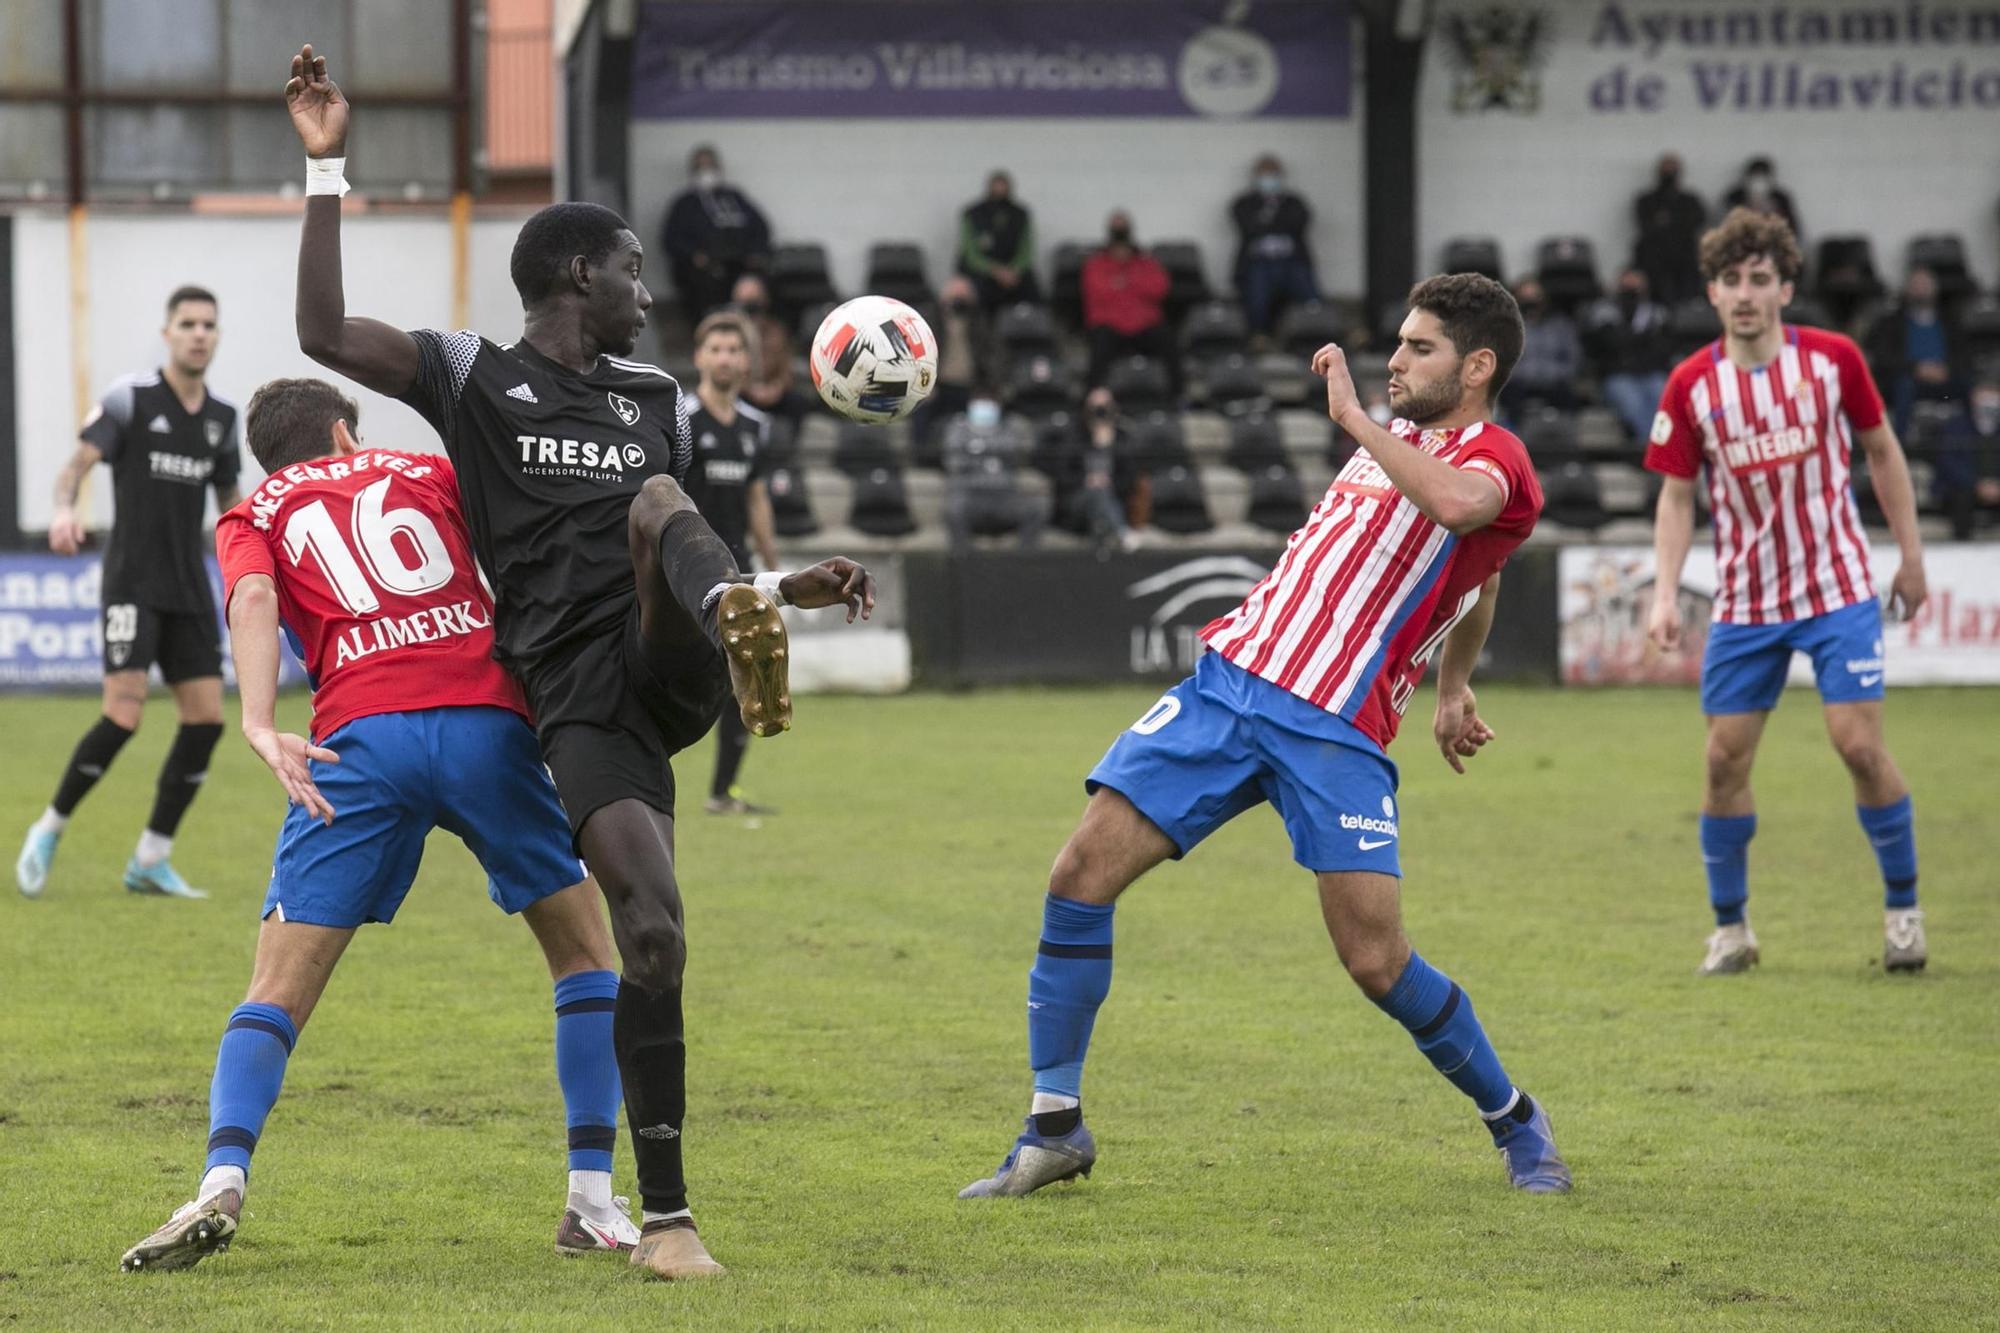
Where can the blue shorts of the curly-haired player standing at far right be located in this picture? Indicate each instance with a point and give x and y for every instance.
(1745, 665)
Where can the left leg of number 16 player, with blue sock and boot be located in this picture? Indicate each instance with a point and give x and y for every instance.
(293, 966)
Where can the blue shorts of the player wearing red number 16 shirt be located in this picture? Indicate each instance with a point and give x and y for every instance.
(471, 772)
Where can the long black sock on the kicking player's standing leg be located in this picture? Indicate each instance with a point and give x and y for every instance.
(653, 1064)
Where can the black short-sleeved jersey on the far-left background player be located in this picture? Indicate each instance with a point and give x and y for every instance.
(163, 459)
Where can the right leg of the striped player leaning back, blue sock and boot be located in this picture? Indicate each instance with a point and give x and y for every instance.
(1365, 918)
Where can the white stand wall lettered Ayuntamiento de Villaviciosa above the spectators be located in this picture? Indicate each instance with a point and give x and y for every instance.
(1883, 119)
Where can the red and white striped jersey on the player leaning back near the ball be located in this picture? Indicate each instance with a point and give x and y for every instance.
(1365, 593)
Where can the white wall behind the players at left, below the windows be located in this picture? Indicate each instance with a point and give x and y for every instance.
(399, 269)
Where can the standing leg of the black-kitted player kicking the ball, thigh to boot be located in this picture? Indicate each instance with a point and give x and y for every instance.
(631, 852)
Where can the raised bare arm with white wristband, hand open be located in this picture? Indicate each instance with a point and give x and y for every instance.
(369, 353)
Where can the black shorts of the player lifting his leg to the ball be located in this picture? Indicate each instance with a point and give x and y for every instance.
(609, 722)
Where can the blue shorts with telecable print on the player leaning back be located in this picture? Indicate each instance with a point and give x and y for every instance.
(1225, 742)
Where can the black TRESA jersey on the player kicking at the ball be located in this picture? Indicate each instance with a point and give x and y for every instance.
(549, 465)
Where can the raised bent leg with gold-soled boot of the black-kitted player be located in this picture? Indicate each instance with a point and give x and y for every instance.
(693, 593)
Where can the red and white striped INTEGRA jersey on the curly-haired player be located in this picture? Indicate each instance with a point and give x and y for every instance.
(1777, 443)
